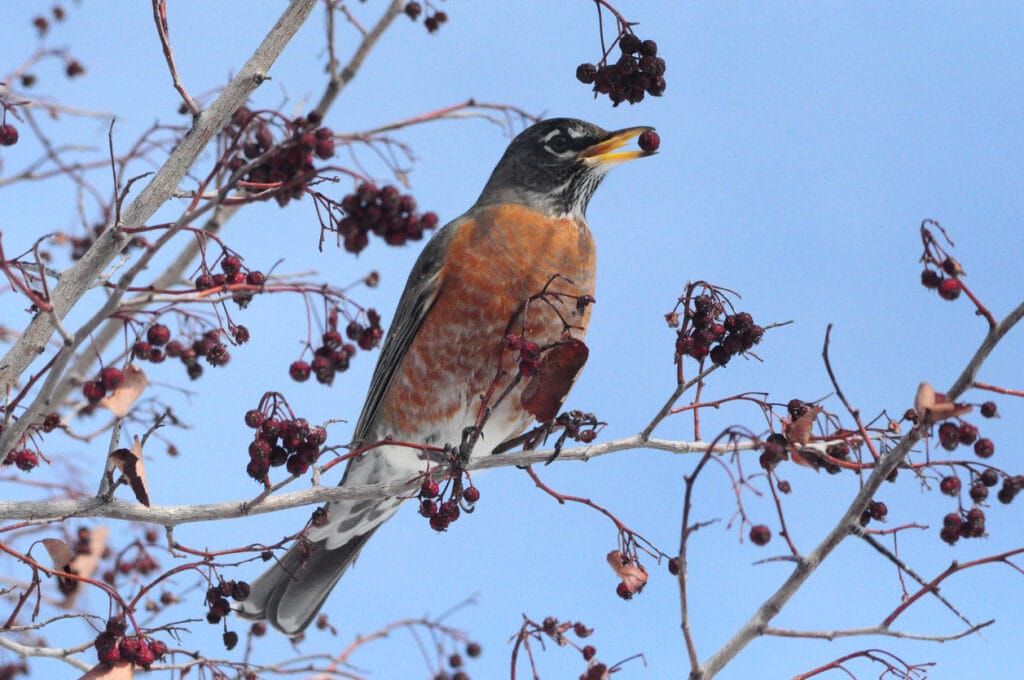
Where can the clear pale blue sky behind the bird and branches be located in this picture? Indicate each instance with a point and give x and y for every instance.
(802, 145)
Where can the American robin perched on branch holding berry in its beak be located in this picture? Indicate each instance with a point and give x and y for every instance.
(523, 262)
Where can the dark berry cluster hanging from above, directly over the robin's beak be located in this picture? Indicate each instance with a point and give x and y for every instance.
(639, 71)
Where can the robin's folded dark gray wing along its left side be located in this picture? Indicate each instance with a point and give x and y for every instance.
(421, 291)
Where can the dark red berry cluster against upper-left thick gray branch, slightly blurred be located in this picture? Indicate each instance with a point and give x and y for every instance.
(289, 166)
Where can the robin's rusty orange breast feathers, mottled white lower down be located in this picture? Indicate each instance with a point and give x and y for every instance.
(498, 265)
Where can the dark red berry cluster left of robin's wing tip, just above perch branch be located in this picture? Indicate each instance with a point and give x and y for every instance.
(281, 441)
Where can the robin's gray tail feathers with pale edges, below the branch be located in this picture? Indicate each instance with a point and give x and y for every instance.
(291, 593)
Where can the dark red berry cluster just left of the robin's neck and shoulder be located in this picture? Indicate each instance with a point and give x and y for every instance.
(386, 212)
